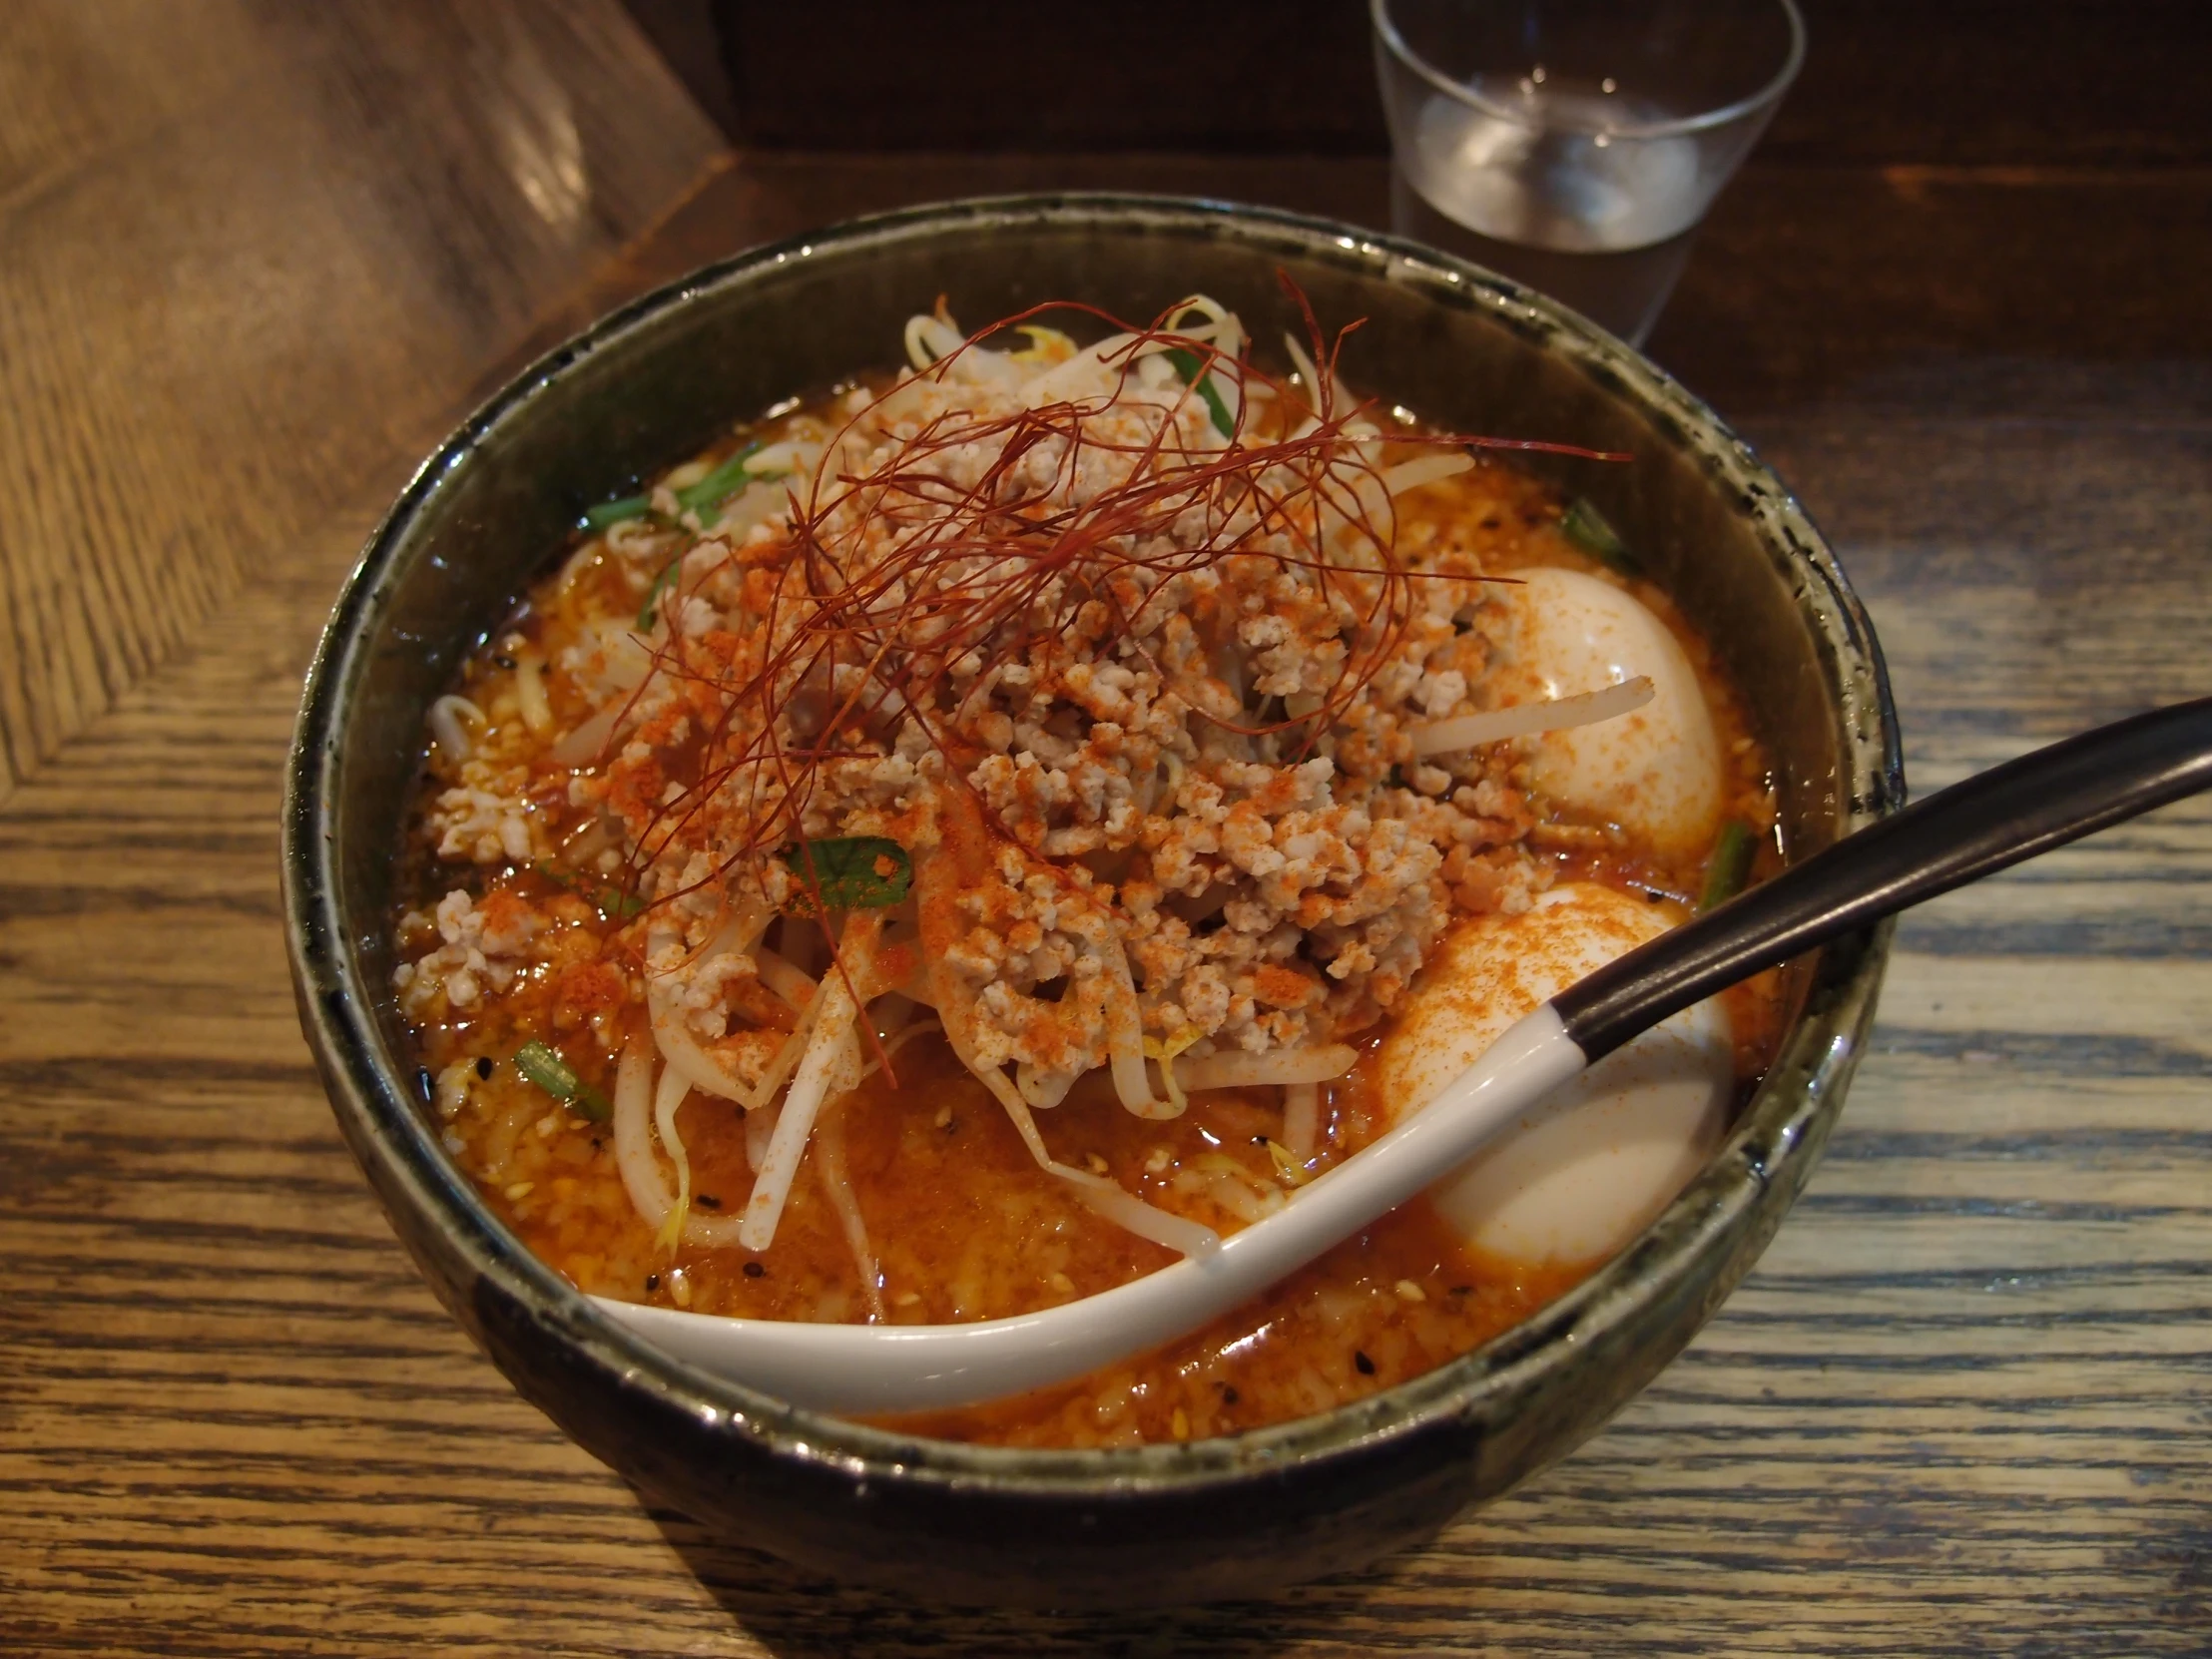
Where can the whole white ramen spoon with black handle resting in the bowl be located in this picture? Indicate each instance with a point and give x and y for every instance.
(1961, 835)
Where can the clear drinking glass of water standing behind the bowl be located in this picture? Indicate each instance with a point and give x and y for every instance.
(1576, 145)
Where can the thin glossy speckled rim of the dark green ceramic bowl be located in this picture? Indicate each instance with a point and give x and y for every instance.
(382, 1120)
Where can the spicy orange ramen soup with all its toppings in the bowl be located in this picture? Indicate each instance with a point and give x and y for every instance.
(963, 842)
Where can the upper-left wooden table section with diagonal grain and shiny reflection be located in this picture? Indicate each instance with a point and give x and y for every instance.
(244, 244)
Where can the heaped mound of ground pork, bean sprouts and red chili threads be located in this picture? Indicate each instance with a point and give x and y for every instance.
(1065, 696)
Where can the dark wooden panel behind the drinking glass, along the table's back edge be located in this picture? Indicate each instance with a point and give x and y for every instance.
(1965, 83)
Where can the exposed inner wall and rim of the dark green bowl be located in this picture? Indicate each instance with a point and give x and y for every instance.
(1461, 348)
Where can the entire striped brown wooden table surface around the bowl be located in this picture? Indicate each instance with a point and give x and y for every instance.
(255, 264)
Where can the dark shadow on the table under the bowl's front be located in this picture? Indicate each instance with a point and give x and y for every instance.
(800, 1616)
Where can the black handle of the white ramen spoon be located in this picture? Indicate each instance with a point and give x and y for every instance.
(1959, 835)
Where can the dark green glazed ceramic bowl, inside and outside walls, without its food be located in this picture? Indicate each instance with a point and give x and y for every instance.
(1215, 1519)
